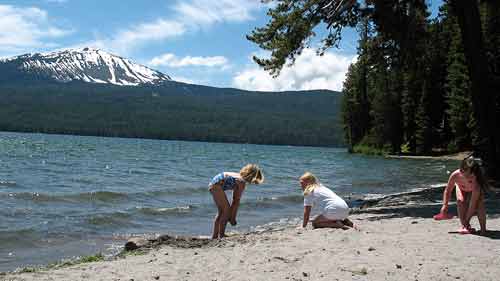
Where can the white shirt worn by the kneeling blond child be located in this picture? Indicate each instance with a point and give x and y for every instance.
(327, 201)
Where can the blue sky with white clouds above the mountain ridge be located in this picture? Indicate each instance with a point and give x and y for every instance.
(193, 41)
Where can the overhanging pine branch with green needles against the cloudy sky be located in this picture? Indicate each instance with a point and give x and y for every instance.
(292, 24)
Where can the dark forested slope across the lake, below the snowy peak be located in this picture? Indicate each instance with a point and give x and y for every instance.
(174, 111)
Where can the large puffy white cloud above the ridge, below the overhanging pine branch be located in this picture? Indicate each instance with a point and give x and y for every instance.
(309, 72)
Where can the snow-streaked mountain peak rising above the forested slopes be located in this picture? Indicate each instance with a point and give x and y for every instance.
(88, 65)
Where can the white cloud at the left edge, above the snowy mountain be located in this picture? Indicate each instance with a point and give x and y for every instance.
(25, 28)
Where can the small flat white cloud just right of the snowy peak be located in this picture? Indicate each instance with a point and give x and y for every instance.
(172, 60)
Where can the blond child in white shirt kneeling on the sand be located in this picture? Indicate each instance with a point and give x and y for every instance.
(333, 209)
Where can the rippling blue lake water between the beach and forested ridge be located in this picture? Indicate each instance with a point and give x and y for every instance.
(66, 196)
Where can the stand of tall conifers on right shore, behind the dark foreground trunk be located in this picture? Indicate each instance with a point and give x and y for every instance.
(418, 100)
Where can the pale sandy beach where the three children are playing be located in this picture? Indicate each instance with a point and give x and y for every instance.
(396, 242)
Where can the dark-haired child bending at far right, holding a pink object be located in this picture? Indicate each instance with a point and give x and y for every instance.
(470, 187)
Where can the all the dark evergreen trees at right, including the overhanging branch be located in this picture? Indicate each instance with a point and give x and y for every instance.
(420, 84)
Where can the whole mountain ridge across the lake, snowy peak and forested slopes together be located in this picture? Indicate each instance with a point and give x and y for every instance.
(91, 92)
